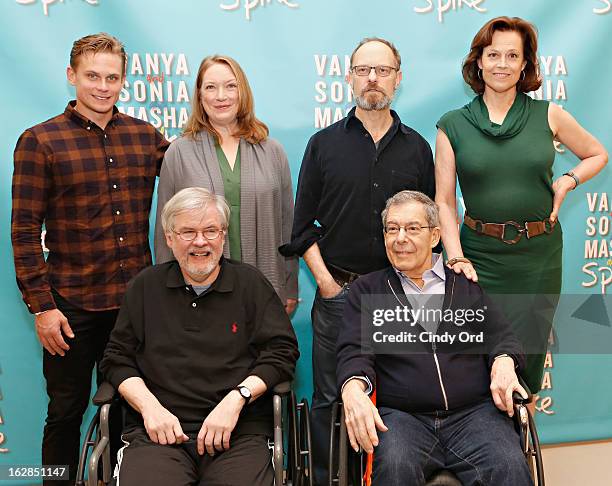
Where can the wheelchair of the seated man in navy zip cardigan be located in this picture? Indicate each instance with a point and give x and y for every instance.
(344, 463)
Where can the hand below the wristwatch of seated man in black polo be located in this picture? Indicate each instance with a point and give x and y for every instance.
(215, 433)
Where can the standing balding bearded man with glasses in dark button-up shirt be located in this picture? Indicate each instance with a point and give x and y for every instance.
(348, 172)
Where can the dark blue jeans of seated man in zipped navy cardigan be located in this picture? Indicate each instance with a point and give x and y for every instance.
(478, 444)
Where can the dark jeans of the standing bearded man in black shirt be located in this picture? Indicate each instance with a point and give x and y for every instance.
(326, 318)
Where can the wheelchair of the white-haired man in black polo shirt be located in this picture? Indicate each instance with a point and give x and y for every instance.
(290, 443)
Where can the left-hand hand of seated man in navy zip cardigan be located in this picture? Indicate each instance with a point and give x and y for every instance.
(361, 416)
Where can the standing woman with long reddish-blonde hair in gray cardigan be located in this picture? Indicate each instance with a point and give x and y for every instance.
(226, 149)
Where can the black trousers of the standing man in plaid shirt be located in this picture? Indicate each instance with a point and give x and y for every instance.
(69, 384)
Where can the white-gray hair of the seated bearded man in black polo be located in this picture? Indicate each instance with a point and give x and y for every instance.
(190, 199)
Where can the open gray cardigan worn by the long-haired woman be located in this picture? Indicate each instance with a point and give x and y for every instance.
(266, 202)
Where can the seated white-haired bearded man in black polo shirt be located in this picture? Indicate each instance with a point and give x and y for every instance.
(197, 344)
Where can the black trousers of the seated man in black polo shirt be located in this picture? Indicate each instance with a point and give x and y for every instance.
(246, 463)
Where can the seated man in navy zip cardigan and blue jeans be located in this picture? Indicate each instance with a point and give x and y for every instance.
(440, 403)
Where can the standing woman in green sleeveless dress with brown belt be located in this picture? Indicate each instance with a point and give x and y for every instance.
(500, 146)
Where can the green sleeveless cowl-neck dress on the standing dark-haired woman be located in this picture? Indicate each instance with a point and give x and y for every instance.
(505, 174)
